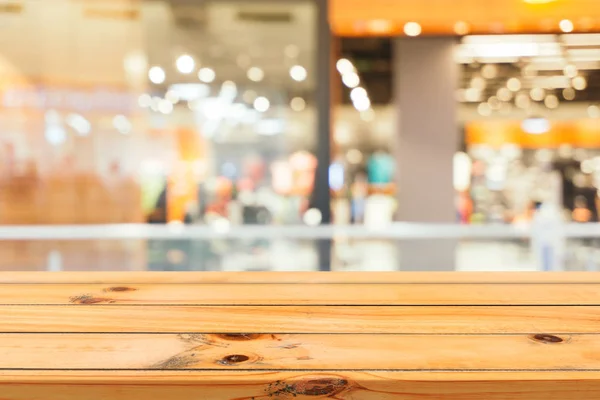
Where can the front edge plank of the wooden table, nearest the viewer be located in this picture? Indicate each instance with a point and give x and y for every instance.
(271, 385)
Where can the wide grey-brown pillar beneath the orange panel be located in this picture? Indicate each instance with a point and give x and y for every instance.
(426, 77)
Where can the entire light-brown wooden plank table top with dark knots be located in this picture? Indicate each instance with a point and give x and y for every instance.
(263, 336)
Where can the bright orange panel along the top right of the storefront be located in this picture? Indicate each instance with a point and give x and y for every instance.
(443, 17)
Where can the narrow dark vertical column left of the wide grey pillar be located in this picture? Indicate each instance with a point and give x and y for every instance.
(321, 195)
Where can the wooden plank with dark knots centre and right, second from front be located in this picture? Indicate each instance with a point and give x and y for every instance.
(327, 352)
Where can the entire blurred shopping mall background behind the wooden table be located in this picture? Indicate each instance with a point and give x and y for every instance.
(299, 135)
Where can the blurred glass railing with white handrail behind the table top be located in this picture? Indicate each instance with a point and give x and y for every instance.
(400, 246)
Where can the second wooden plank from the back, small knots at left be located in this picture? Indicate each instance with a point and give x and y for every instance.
(309, 294)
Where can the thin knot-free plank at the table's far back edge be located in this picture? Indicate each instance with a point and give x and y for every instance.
(111, 278)
